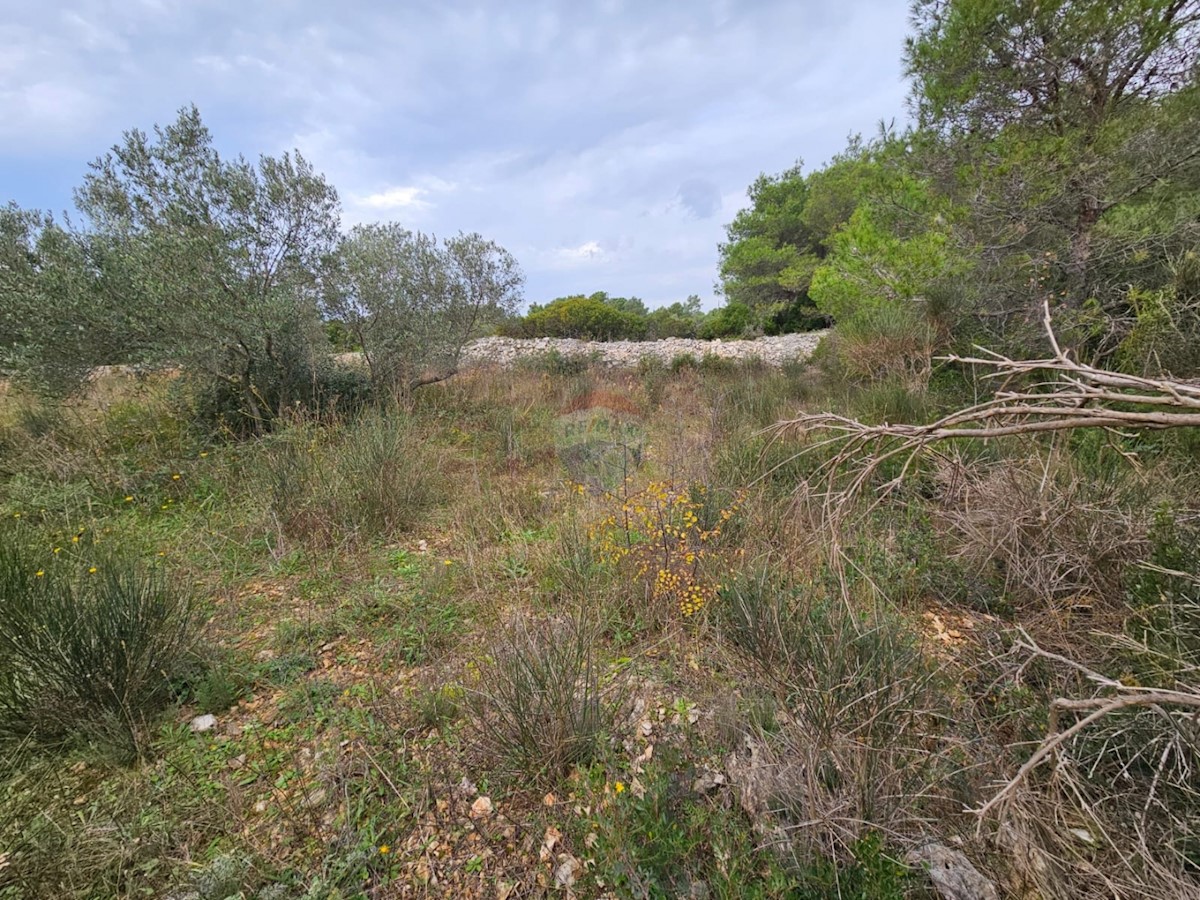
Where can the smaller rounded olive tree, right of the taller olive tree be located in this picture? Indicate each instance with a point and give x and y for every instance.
(413, 302)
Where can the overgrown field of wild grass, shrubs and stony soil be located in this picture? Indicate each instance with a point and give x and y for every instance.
(561, 632)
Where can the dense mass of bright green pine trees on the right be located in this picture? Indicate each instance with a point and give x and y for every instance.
(1055, 157)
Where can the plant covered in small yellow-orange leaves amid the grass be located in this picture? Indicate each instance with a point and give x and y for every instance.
(659, 535)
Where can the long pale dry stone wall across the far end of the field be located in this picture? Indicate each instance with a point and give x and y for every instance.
(626, 355)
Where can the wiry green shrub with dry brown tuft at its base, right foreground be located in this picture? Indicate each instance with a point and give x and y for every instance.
(860, 747)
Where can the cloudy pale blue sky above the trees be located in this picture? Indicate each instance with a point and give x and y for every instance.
(605, 145)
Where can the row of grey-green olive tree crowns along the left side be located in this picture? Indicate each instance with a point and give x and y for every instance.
(227, 268)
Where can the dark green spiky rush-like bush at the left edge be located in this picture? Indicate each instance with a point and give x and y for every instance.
(87, 653)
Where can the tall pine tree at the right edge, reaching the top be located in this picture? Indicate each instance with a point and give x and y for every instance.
(1058, 125)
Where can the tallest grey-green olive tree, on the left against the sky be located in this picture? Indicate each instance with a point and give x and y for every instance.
(207, 263)
